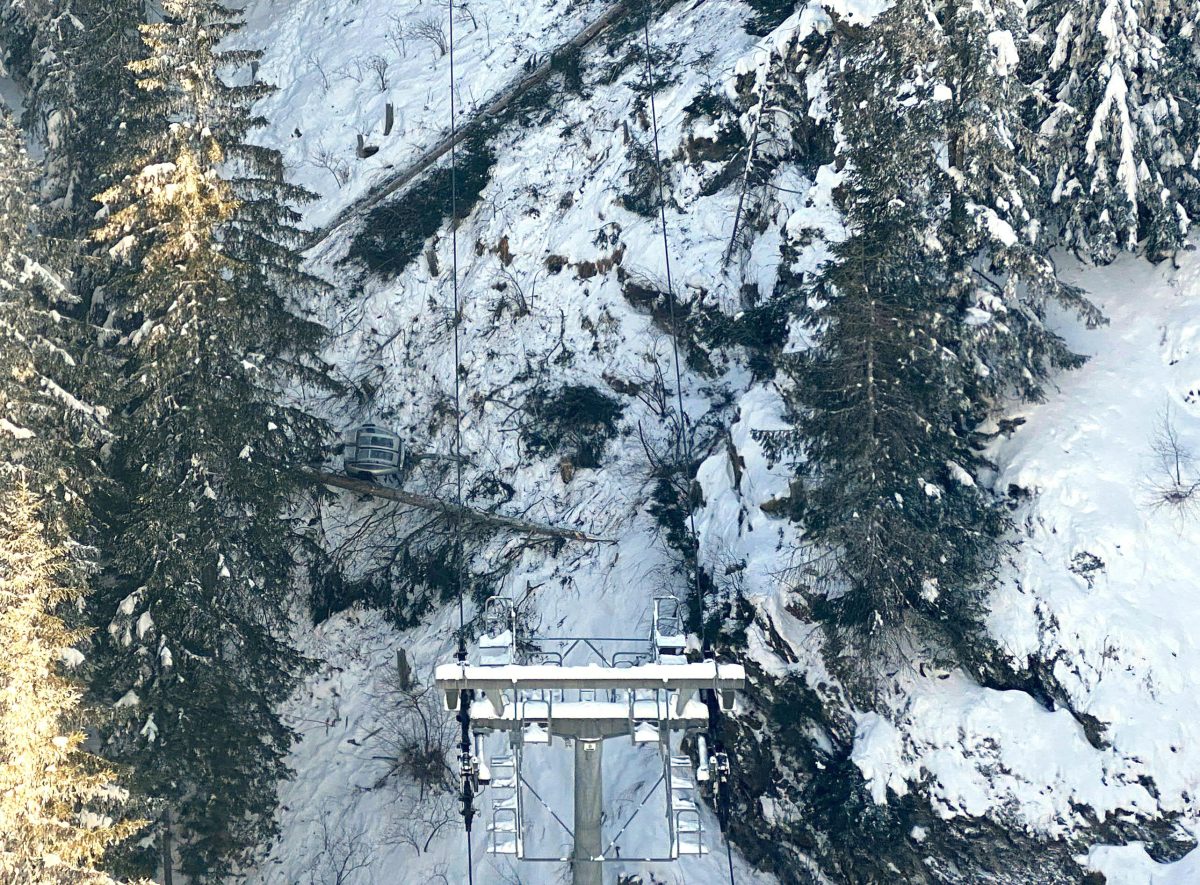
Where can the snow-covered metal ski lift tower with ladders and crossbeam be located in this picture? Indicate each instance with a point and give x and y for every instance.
(533, 694)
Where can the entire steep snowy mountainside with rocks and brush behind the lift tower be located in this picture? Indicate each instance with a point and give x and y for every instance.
(1076, 730)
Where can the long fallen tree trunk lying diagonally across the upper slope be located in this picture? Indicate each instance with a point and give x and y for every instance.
(496, 106)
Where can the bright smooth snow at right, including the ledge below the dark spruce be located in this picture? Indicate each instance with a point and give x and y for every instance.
(1102, 588)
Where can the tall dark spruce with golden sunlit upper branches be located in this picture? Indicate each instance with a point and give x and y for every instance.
(197, 653)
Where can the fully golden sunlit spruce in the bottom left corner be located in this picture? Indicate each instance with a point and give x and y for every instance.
(57, 802)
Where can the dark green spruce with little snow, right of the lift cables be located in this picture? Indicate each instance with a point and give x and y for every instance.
(898, 533)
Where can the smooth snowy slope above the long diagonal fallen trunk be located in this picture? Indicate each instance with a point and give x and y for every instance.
(339, 65)
